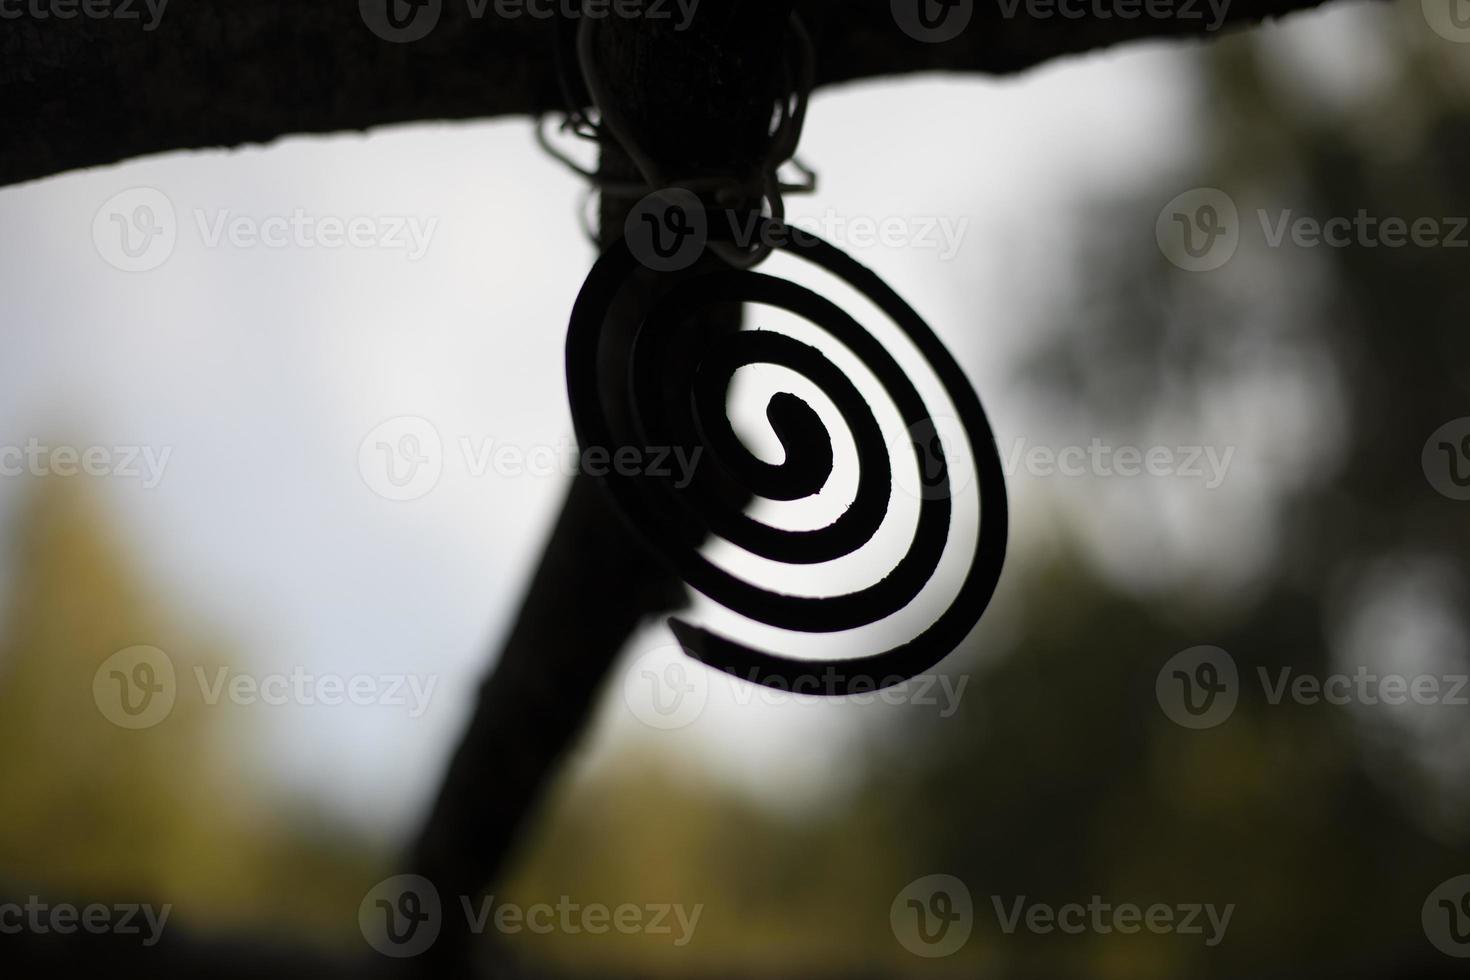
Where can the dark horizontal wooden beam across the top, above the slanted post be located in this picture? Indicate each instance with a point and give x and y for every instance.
(224, 73)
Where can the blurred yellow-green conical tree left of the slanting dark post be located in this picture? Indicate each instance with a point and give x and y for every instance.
(162, 815)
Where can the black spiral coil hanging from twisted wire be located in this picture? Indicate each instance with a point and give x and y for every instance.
(646, 371)
